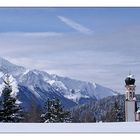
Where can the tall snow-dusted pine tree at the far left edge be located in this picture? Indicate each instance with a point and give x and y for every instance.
(10, 111)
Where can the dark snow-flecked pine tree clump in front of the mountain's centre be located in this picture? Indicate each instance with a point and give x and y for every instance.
(55, 113)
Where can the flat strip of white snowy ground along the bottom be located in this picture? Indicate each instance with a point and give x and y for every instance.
(123, 127)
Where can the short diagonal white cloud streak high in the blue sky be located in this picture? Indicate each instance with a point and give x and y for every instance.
(78, 27)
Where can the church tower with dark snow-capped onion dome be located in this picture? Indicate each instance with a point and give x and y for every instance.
(130, 100)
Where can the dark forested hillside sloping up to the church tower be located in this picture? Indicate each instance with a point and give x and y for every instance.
(100, 110)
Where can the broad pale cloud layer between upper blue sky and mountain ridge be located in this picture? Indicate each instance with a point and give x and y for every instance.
(100, 58)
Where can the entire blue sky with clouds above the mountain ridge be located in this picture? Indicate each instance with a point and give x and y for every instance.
(92, 44)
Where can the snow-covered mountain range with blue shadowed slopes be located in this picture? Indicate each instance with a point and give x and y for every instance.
(36, 86)
